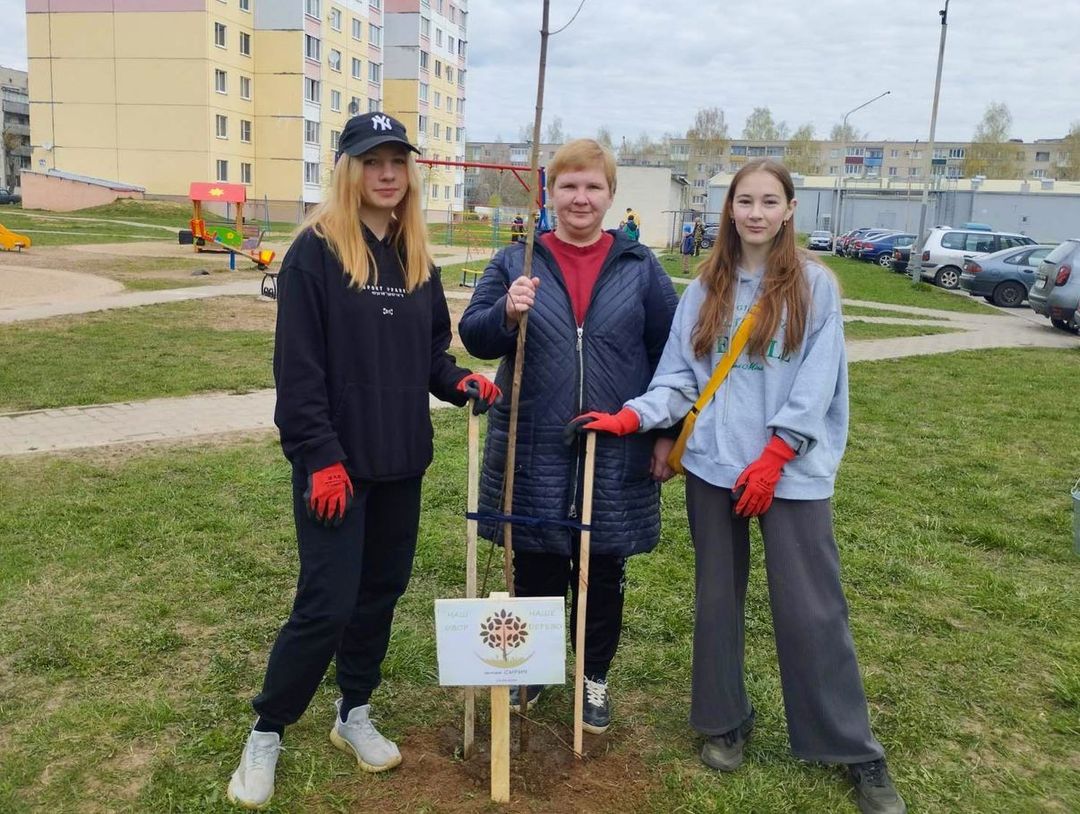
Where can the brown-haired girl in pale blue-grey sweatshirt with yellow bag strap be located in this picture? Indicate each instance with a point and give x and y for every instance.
(767, 445)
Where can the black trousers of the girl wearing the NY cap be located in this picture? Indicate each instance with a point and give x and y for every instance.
(352, 578)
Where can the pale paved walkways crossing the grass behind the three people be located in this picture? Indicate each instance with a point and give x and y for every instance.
(214, 414)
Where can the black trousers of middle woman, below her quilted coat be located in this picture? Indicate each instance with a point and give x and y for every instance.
(550, 575)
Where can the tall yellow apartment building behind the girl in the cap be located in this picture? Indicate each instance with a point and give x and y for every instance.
(256, 92)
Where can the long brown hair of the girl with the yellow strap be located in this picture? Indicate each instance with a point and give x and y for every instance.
(784, 288)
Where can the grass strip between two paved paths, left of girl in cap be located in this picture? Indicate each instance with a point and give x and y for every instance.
(167, 350)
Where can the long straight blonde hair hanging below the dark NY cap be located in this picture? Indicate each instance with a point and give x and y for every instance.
(337, 222)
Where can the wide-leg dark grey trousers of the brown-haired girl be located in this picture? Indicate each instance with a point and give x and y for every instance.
(828, 720)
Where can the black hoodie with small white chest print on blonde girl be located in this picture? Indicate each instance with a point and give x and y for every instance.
(354, 367)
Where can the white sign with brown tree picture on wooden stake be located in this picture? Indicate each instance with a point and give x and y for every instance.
(488, 643)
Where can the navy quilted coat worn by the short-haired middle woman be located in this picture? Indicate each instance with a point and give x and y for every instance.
(570, 371)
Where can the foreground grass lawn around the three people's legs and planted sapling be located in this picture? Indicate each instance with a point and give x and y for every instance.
(140, 595)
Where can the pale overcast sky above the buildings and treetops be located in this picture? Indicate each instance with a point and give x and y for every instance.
(637, 66)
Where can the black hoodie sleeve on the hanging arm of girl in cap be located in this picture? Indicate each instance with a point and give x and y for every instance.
(303, 412)
